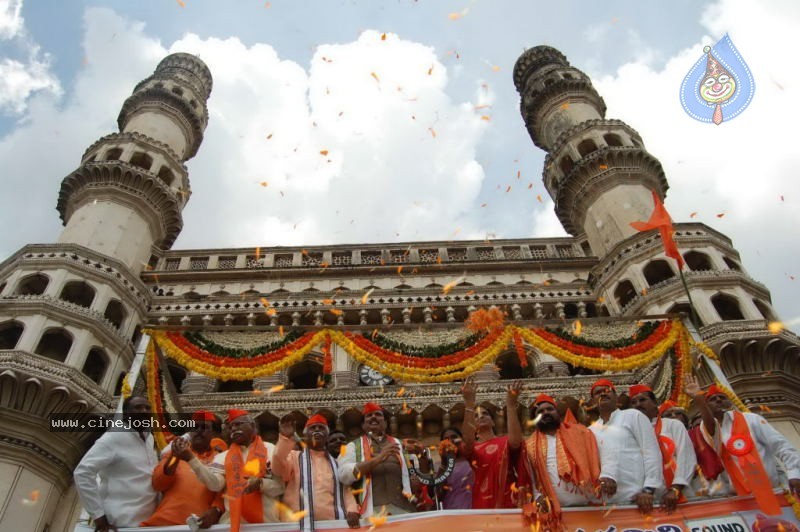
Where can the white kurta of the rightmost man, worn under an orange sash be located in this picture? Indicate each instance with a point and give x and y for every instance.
(770, 444)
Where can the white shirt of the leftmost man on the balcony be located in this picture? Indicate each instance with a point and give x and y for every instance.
(124, 462)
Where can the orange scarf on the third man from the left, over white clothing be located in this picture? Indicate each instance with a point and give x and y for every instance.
(250, 505)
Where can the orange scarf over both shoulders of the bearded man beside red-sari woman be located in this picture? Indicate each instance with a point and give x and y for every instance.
(577, 459)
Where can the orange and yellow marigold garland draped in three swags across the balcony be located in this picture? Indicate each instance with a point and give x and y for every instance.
(446, 367)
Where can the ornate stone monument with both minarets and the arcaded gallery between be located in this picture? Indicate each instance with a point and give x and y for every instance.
(71, 312)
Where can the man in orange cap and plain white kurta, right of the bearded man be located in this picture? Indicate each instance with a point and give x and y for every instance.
(630, 458)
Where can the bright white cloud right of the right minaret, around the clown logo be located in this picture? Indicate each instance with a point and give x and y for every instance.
(741, 168)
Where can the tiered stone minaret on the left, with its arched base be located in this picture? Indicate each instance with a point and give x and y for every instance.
(70, 312)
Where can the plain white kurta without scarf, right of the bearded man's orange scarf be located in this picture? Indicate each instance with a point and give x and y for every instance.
(629, 453)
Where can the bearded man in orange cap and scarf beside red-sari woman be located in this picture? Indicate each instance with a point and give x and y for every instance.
(560, 459)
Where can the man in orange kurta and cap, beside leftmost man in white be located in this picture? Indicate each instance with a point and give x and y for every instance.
(182, 492)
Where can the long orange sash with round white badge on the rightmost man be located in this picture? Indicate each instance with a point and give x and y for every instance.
(745, 468)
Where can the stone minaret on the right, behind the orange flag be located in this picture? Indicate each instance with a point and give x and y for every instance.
(601, 178)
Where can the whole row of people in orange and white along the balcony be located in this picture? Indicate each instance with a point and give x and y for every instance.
(646, 454)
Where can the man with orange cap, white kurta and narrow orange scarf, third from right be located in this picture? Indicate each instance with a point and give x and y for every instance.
(677, 453)
